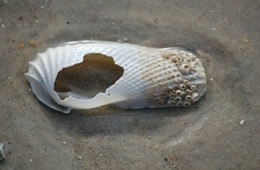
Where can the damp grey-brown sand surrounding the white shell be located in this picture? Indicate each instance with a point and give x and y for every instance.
(221, 131)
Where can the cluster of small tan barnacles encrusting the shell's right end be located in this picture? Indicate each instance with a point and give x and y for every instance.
(184, 92)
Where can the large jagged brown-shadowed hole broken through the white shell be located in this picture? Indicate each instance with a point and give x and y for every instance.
(93, 75)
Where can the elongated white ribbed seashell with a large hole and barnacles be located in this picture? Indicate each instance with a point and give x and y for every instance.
(148, 75)
